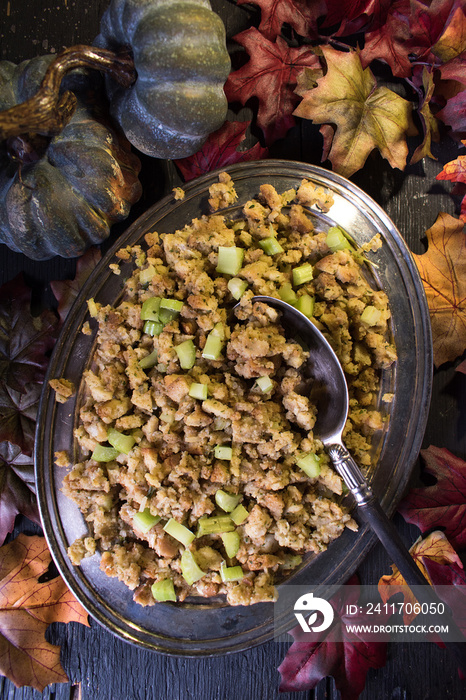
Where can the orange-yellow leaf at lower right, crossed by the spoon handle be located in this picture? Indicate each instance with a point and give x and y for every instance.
(435, 547)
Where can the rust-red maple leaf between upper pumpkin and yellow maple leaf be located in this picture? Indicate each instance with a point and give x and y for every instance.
(270, 76)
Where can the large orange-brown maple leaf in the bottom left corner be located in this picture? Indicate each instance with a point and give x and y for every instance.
(27, 608)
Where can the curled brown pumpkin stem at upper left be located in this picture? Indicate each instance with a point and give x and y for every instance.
(48, 111)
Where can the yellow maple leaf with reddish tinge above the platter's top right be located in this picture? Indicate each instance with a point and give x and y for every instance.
(366, 116)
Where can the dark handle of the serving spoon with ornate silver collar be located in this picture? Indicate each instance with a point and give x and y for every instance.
(374, 515)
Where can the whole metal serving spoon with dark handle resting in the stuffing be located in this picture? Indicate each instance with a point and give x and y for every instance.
(332, 410)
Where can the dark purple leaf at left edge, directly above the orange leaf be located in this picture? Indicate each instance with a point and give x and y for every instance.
(16, 488)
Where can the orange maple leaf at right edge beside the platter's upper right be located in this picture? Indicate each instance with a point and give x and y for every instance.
(443, 272)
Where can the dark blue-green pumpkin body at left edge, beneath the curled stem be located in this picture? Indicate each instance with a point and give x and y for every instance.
(64, 196)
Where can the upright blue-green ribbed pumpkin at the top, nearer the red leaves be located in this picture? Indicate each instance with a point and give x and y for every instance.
(182, 63)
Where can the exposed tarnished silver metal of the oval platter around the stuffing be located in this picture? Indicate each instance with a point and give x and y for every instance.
(187, 630)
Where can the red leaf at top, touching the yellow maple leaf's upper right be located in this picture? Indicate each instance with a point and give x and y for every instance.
(390, 41)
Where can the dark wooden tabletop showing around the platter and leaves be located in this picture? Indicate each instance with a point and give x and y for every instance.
(100, 666)
